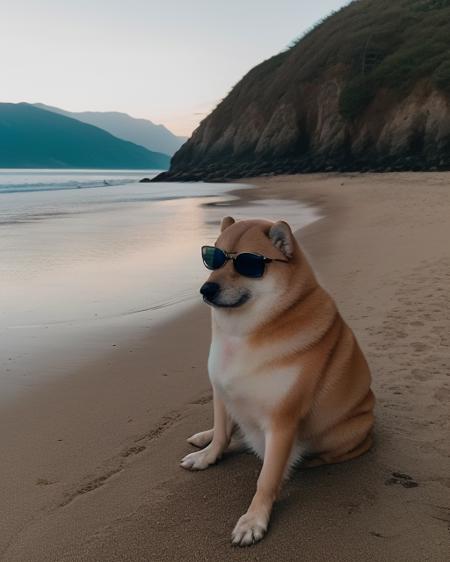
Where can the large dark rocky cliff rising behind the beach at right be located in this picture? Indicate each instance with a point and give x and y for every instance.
(368, 89)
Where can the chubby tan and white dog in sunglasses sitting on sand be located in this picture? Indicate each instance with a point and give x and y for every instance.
(287, 372)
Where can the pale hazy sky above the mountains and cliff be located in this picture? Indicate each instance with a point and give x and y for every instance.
(169, 61)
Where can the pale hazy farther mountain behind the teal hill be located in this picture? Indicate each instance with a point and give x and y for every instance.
(140, 131)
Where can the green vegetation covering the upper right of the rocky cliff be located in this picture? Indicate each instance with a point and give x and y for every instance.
(394, 45)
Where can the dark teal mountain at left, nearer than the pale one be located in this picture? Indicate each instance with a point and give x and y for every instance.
(34, 138)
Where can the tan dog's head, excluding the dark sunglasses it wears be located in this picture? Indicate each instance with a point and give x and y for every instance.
(230, 291)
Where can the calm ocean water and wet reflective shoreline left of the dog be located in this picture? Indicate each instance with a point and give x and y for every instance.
(88, 257)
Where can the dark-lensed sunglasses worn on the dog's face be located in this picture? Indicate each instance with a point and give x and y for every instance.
(246, 264)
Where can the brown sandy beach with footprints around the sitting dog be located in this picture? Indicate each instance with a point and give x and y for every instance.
(89, 465)
